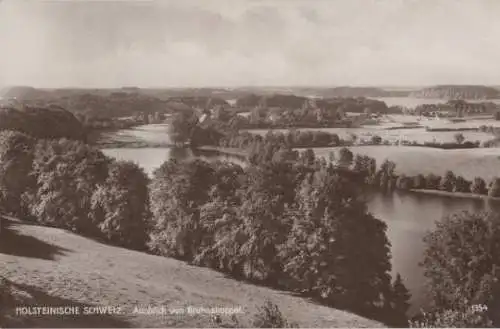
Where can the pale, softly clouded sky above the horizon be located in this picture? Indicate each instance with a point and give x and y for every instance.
(162, 43)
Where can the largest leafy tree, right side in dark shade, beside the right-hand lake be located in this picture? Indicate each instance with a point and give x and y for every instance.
(320, 255)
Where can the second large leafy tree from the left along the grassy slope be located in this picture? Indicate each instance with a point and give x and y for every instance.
(67, 173)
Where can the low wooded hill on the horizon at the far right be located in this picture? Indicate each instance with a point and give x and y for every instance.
(457, 92)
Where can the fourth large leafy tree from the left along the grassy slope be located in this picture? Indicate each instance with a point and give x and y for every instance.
(178, 191)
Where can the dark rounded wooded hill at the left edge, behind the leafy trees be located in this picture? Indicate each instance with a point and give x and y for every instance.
(41, 122)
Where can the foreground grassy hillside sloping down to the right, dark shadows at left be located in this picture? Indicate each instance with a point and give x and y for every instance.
(60, 268)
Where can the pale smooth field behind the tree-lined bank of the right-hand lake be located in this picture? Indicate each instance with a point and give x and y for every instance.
(412, 160)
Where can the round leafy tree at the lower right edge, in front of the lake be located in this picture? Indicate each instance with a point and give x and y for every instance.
(462, 262)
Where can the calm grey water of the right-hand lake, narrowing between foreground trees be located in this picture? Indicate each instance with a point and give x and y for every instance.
(409, 217)
